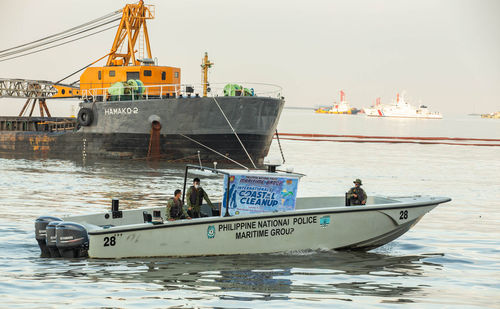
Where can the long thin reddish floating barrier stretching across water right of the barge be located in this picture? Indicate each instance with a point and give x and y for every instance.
(456, 141)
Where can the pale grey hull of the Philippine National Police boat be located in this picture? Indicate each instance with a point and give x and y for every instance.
(317, 223)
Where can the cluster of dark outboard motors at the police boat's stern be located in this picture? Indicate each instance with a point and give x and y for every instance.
(57, 238)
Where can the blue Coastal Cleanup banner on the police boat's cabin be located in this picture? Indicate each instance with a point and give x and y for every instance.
(257, 194)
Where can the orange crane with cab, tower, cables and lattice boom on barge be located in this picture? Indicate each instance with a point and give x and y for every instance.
(123, 61)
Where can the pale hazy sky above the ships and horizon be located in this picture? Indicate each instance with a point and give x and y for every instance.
(445, 54)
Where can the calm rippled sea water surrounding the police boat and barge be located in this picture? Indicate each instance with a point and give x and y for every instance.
(450, 259)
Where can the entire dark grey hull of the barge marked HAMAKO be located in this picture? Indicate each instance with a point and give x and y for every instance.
(123, 129)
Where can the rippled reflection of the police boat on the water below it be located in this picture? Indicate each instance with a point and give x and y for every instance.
(323, 272)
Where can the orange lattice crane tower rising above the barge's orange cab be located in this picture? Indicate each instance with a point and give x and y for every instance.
(133, 20)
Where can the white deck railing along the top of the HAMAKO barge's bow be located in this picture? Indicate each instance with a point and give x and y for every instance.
(163, 91)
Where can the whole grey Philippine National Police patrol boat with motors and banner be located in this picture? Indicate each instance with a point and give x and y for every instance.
(259, 213)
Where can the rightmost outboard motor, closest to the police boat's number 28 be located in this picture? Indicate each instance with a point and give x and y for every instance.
(72, 240)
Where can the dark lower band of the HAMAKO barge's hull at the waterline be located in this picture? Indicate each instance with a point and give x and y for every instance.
(77, 146)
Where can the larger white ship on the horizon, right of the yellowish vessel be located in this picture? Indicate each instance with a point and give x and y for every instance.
(401, 109)
